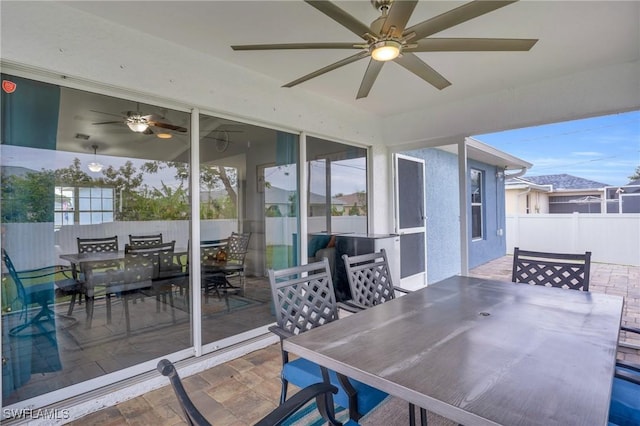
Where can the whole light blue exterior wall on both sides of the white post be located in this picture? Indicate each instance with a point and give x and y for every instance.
(443, 213)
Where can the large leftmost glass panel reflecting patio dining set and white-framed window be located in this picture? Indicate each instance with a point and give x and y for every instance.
(85, 320)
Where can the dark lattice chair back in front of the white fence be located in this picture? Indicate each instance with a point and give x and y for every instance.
(570, 271)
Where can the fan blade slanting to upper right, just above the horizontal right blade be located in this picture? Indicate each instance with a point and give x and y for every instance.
(454, 17)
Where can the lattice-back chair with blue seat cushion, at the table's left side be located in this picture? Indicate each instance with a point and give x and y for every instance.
(304, 298)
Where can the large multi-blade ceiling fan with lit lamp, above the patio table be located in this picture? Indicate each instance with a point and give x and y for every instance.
(388, 39)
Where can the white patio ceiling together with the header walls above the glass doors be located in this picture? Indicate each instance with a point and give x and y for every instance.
(586, 63)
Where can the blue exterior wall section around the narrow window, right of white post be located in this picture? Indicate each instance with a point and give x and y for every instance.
(492, 244)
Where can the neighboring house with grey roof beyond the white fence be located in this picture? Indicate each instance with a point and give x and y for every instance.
(560, 193)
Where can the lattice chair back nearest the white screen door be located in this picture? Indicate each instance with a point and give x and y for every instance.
(369, 278)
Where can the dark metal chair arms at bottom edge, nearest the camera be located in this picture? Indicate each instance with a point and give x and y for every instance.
(320, 391)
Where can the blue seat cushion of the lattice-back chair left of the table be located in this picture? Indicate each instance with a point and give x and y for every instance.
(302, 373)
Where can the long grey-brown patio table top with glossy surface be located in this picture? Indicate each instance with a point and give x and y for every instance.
(481, 352)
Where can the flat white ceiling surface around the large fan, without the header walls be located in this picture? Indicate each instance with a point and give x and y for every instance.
(573, 35)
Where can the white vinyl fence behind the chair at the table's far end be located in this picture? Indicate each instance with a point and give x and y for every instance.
(611, 238)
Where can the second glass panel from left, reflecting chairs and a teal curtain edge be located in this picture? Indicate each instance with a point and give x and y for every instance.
(241, 187)
